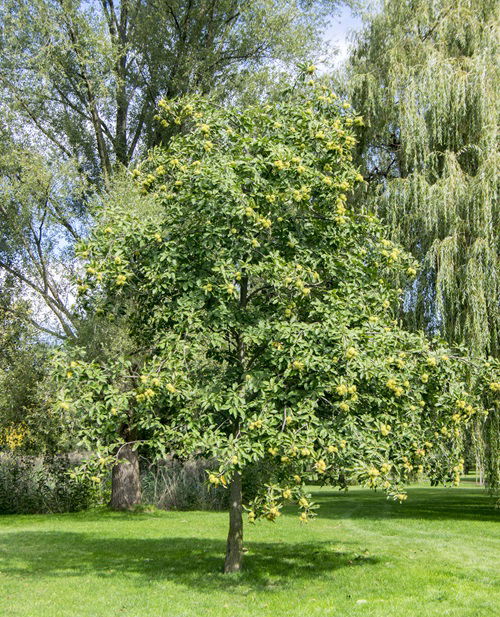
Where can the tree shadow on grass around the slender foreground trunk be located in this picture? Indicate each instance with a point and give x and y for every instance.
(187, 561)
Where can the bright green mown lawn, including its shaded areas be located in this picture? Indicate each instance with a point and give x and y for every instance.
(437, 554)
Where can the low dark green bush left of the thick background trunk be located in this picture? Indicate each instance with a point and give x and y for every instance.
(37, 485)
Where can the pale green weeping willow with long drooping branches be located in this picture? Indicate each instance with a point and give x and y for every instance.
(424, 75)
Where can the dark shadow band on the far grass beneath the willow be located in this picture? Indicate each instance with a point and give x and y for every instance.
(468, 504)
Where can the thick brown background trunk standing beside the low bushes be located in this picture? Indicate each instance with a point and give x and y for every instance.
(126, 480)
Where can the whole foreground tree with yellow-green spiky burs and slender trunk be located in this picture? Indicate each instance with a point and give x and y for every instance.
(267, 311)
